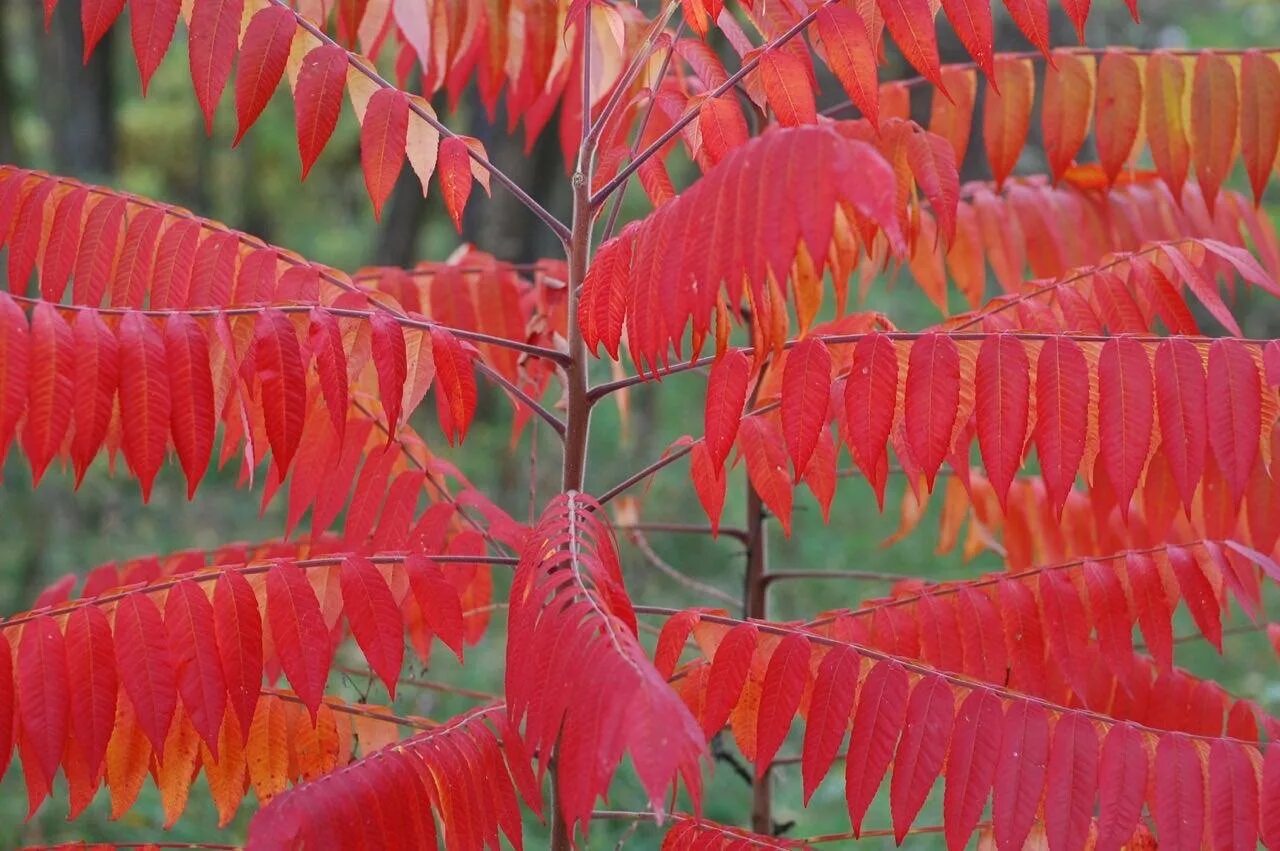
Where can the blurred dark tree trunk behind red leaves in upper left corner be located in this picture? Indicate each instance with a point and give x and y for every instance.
(77, 100)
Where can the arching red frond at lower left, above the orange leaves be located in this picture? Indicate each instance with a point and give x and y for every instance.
(190, 653)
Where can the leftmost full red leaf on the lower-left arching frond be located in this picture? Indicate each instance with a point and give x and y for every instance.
(43, 693)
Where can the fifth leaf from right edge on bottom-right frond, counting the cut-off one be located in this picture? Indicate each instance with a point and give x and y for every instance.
(1073, 783)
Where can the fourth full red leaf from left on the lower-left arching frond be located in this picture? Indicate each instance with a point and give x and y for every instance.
(189, 620)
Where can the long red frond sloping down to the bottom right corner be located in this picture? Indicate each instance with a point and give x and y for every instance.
(1028, 754)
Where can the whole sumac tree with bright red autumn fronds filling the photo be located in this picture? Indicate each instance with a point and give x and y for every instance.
(1082, 420)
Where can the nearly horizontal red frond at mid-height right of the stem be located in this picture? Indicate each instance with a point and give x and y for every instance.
(1092, 406)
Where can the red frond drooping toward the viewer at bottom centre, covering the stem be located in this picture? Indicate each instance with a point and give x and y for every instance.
(577, 674)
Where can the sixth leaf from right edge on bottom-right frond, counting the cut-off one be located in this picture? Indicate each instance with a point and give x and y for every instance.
(1021, 774)
